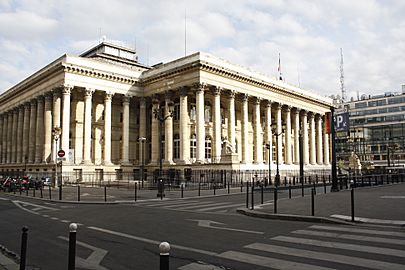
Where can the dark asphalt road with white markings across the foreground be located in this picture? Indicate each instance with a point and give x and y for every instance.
(204, 233)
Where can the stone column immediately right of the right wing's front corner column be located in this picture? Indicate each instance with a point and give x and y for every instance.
(217, 141)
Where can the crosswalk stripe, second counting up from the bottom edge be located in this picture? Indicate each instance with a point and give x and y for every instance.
(330, 257)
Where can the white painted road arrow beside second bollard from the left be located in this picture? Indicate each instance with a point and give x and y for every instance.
(95, 258)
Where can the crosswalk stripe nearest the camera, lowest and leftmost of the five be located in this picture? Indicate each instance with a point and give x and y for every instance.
(269, 262)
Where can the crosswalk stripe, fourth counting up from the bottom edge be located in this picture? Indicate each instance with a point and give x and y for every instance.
(352, 237)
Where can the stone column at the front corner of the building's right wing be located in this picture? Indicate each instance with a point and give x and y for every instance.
(200, 123)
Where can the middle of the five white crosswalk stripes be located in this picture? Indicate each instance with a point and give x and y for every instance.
(338, 245)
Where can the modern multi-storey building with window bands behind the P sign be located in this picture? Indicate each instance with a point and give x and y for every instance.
(376, 130)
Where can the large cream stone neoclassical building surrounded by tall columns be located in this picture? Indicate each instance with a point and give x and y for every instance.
(104, 101)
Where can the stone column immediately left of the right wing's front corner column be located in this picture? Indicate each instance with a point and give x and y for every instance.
(184, 129)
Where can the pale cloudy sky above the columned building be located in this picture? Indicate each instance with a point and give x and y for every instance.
(308, 35)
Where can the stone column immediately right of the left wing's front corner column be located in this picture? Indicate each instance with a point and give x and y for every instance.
(87, 125)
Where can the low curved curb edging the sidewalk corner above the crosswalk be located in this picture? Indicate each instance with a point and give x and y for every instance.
(316, 219)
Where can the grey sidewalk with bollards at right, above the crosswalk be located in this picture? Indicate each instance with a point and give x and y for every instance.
(382, 205)
